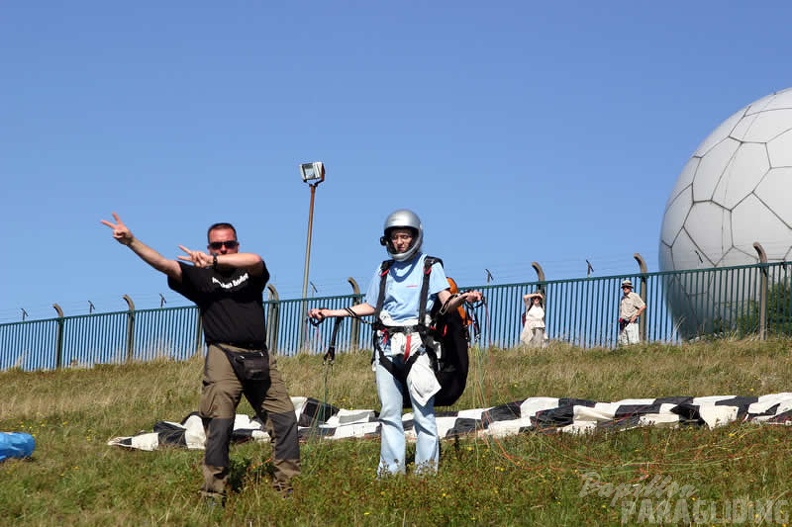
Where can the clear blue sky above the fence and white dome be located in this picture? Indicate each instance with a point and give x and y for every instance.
(519, 131)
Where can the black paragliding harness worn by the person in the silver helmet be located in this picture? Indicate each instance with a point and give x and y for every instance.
(445, 338)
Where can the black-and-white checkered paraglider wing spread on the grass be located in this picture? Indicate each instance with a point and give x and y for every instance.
(534, 414)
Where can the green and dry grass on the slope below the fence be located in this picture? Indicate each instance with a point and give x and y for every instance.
(74, 478)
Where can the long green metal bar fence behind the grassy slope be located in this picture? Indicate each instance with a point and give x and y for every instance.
(742, 300)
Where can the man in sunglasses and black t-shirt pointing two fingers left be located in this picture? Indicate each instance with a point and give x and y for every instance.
(227, 286)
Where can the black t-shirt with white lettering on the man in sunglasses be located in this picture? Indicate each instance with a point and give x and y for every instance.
(230, 303)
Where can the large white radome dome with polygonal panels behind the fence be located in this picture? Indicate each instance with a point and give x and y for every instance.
(736, 189)
